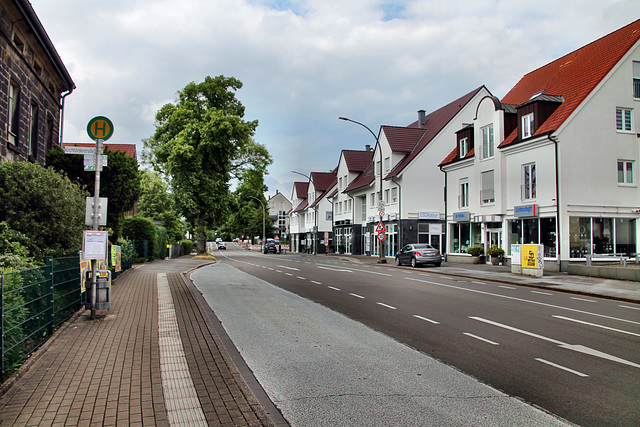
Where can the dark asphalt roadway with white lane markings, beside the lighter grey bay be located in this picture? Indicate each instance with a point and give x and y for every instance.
(576, 357)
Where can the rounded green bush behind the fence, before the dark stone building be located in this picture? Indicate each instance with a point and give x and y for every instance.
(44, 206)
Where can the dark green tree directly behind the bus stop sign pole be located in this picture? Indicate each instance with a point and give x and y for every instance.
(119, 182)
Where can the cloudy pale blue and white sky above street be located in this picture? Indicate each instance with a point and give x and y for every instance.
(303, 63)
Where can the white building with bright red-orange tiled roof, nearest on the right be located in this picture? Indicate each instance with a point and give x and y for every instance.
(555, 162)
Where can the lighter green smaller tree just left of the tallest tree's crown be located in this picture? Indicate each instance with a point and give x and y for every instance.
(157, 203)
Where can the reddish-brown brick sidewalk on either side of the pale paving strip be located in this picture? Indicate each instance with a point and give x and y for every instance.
(107, 371)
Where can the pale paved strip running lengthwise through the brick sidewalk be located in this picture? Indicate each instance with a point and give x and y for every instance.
(180, 397)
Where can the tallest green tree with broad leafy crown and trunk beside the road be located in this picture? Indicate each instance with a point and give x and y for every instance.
(202, 142)
